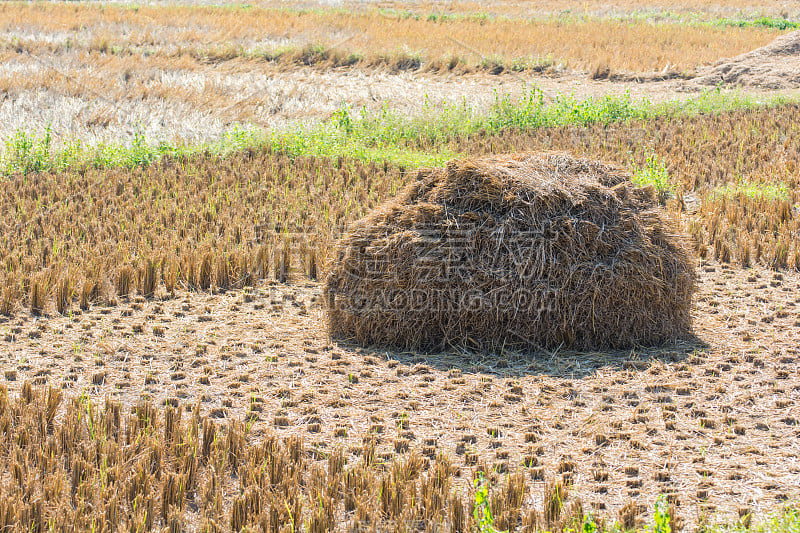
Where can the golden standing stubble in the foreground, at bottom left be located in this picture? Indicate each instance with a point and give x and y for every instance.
(109, 467)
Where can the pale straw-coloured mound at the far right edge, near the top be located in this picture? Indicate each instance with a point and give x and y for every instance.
(775, 66)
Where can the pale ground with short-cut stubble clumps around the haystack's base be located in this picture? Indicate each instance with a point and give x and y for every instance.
(713, 421)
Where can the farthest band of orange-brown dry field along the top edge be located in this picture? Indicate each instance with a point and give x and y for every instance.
(215, 33)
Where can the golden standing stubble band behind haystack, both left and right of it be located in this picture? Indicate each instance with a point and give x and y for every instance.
(215, 223)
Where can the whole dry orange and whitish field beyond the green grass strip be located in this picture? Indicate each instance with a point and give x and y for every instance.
(189, 74)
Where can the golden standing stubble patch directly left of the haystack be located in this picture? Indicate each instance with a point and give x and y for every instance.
(203, 222)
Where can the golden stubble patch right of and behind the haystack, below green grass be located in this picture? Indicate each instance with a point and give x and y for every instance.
(725, 168)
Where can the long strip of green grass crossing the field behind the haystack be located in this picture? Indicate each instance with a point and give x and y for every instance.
(388, 135)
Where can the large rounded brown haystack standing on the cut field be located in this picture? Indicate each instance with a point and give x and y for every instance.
(513, 252)
